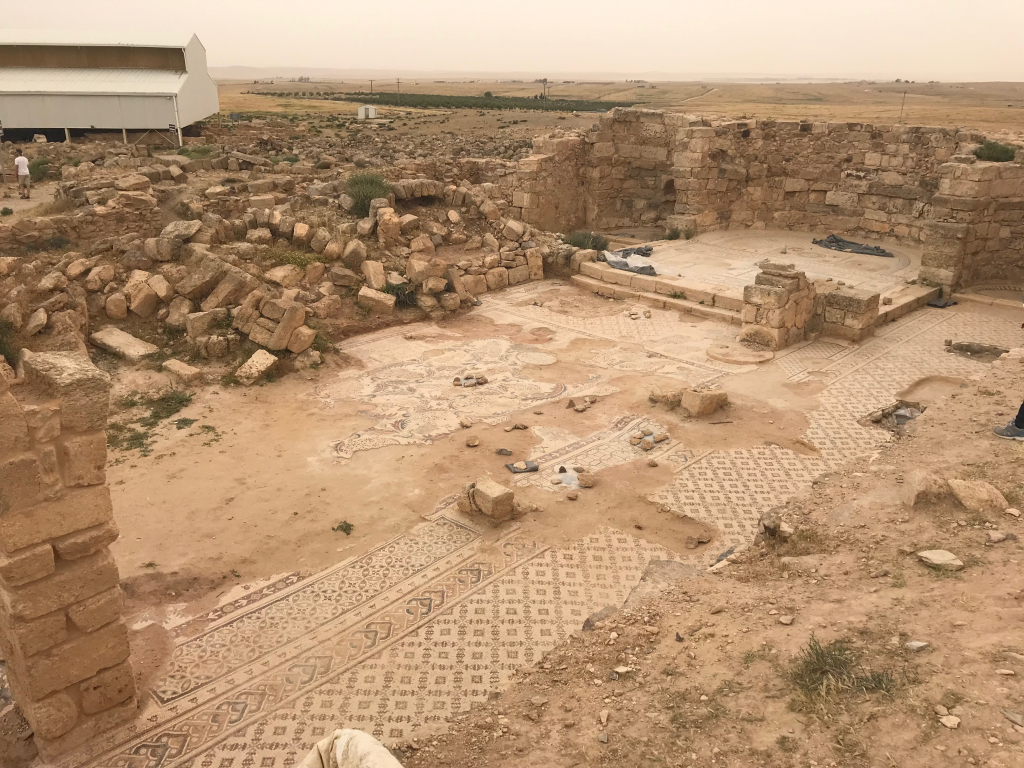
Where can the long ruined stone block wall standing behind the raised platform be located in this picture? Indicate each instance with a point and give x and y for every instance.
(916, 184)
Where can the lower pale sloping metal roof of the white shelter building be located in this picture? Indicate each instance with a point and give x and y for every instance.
(122, 82)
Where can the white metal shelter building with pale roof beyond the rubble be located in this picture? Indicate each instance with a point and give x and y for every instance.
(101, 80)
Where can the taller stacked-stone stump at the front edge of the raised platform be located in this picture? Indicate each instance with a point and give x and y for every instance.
(779, 308)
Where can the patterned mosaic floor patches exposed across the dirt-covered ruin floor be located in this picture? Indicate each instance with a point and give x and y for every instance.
(433, 622)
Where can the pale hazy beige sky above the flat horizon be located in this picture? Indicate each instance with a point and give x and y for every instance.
(913, 39)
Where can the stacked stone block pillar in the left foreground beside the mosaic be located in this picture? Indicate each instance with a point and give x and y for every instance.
(62, 630)
